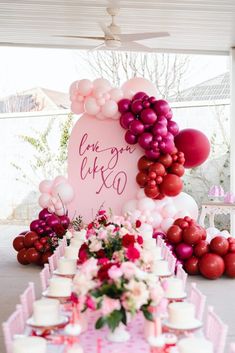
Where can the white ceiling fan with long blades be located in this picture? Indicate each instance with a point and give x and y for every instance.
(113, 38)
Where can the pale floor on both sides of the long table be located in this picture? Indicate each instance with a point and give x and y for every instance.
(14, 278)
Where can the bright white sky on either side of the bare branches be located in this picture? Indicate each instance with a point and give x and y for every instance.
(24, 68)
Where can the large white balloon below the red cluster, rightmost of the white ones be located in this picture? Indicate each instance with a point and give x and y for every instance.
(184, 201)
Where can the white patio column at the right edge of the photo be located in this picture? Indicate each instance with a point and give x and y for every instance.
(232, 132)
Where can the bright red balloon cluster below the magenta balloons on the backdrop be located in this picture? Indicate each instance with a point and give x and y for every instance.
(162, 177)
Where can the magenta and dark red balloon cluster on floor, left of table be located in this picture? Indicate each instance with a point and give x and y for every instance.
(37, 244)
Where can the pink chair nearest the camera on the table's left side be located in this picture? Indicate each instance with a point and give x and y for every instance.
(12, 327)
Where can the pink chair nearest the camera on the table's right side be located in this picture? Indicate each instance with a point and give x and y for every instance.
(215, 331)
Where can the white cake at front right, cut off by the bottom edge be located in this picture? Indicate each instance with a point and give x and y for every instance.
(195, 345)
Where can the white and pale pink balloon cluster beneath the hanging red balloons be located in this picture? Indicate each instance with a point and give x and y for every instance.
(160, 213)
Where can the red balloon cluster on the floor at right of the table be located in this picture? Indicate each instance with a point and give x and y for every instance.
(188, 241)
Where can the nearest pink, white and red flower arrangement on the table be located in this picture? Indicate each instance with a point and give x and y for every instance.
(116, 290)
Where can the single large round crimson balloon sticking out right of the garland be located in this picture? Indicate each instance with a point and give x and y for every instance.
(195, 146)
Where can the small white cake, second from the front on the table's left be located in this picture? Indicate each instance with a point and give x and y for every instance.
(46, 312)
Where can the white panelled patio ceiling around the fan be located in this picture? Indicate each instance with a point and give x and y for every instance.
(195, 26)
